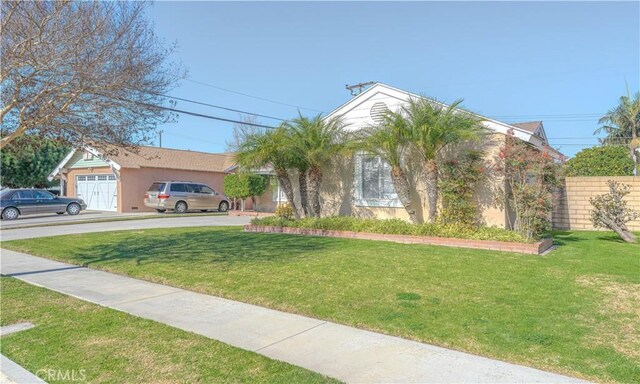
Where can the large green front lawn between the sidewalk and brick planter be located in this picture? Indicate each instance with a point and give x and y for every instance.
(574, 311)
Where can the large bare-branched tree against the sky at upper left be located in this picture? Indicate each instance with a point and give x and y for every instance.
(83, 72)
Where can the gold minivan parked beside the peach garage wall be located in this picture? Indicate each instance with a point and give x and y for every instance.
(183, 196)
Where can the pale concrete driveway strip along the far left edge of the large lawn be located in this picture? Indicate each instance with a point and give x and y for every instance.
(163, 221)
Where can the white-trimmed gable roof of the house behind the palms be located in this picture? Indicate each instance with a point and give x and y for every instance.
(398, 97)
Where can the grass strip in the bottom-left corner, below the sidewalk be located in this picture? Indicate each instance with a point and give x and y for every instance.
(102, 345)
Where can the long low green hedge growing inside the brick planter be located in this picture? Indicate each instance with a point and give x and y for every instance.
(395, 227)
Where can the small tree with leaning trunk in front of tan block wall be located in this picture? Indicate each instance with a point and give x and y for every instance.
(611, 211)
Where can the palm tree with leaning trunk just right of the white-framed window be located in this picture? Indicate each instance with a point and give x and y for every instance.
(388, 140)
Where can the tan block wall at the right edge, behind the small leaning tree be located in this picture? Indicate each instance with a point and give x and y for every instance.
(572, 210)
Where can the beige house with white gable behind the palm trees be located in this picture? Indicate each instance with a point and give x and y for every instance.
(362, 186)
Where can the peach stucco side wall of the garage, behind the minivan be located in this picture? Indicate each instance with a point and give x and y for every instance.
(134, 183)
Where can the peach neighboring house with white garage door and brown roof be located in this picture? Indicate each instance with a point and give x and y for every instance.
(118, 183)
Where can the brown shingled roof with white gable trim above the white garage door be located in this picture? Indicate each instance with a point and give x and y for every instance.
(154, 157)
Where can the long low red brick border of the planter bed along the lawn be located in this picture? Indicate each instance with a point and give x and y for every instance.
(530, 248)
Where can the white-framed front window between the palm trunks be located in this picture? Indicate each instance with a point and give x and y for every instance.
(374, 186)
